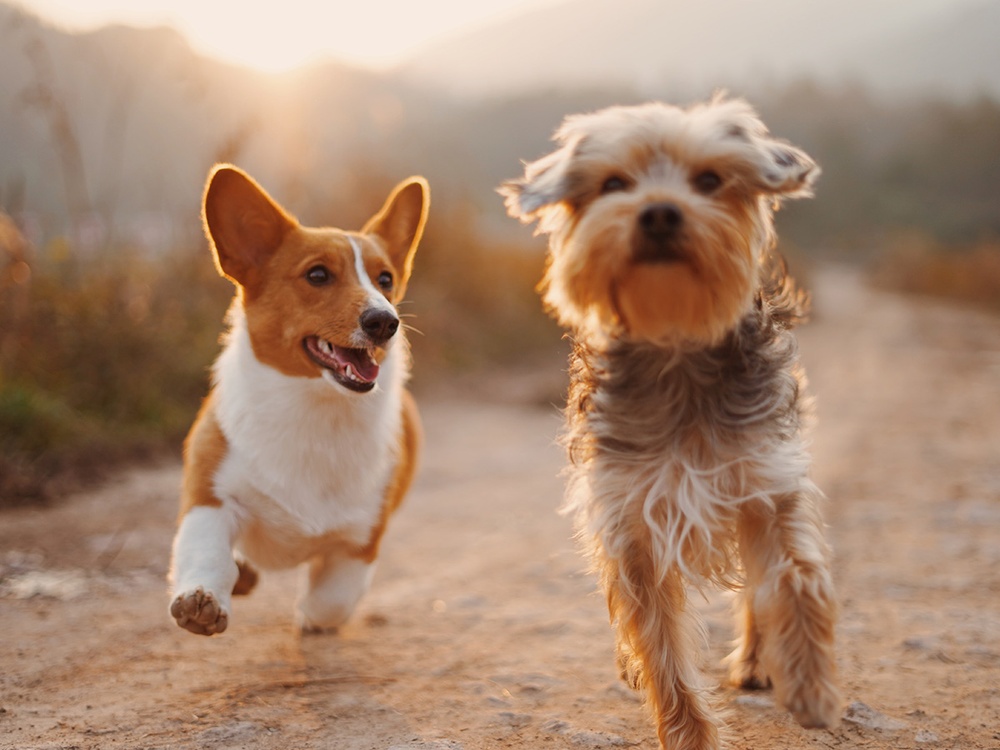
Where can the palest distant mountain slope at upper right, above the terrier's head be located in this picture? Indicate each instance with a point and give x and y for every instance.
(903, 47)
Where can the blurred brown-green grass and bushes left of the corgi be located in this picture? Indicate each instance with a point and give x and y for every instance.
(107, 356)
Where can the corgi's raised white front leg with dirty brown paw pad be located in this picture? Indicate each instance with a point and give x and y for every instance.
(203, 571)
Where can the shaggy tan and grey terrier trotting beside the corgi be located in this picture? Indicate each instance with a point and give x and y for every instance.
(685, 413)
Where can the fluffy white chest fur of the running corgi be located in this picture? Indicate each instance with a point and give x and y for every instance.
(305, 457)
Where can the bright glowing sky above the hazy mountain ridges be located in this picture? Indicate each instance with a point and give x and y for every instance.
(283, 34)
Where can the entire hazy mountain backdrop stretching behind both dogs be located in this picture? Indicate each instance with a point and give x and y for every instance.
(112, 132)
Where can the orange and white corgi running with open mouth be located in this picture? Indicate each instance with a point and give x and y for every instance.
(308, 440)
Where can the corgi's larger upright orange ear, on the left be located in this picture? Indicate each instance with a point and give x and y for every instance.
(243, 223)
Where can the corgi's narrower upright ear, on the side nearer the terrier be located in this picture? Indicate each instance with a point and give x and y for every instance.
(400, 225)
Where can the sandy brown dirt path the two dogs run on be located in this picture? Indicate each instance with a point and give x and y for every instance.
(483, 631)
